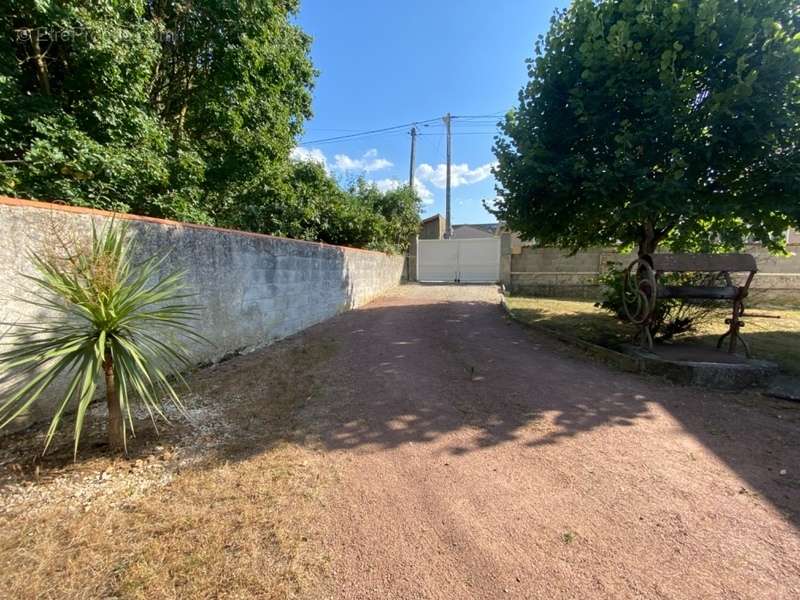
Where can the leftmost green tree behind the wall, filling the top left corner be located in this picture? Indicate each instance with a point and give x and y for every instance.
(74, 121)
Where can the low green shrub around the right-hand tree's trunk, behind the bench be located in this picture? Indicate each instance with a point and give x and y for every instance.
(672, 316)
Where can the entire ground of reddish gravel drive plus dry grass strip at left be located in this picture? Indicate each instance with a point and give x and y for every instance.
(426, 447)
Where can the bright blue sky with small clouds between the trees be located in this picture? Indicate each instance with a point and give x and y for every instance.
(388, 63)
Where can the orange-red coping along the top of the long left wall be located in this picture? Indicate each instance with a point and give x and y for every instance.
(82, 210)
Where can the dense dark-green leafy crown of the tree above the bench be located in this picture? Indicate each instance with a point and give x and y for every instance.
(655, 121)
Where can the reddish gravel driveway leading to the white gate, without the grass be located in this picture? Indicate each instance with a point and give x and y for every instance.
(476, 459)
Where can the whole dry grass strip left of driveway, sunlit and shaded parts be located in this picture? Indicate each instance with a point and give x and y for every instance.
(233, 517)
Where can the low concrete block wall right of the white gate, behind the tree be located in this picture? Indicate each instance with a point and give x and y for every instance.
(553, 272)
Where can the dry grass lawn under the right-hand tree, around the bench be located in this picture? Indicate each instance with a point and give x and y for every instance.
(771, 339)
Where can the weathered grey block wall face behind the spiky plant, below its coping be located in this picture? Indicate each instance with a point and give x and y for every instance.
(253, 289)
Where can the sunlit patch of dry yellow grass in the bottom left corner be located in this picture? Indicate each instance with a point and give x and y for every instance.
(231, 531)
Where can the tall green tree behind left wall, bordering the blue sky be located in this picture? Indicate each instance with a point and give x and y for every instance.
(233, 84)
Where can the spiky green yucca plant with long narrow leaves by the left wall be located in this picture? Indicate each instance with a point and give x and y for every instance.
(107, 317)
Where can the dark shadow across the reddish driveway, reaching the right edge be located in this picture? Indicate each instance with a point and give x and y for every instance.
(398, 374)
